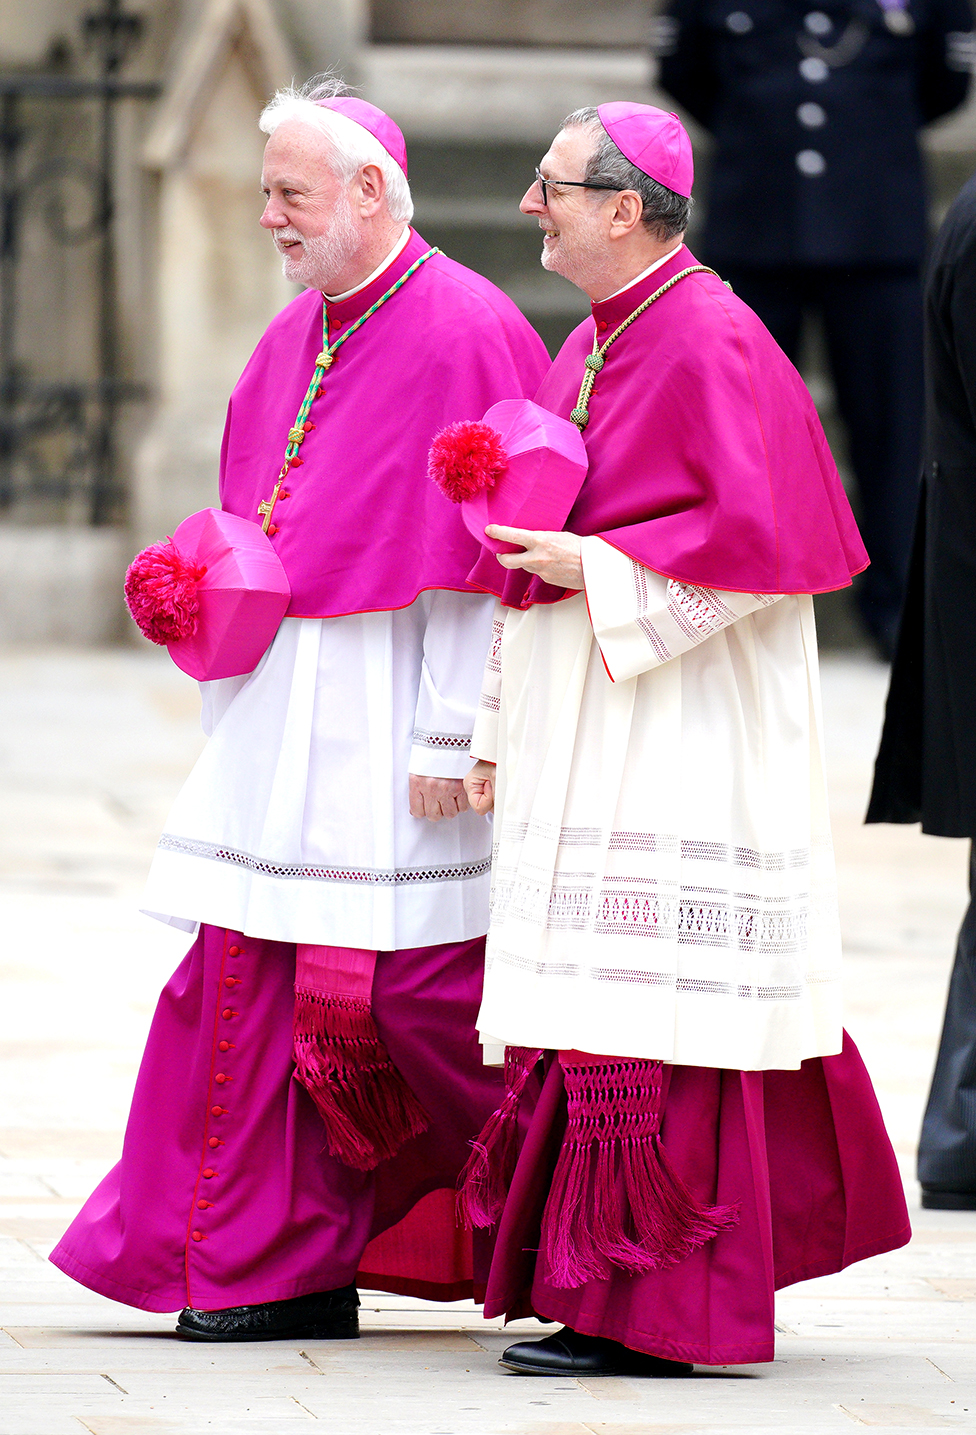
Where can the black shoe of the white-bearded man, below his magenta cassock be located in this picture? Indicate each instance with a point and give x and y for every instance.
(331, 1315)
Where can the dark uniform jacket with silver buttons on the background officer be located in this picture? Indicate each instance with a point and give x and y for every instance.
(816, 170)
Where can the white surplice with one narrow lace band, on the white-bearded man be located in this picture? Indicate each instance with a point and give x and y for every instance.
(295, 823)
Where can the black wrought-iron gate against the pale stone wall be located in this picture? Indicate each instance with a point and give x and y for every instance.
(58, 283)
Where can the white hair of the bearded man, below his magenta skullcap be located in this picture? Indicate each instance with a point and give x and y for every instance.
(352, 146)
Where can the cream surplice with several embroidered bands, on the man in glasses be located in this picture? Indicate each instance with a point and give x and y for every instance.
(664, 878)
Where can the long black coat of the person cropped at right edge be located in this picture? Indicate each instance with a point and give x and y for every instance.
(926, 766)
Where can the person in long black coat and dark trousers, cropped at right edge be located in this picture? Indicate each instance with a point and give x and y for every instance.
(926, 766)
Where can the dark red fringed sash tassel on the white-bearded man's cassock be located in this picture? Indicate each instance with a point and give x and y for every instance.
(365, 1104)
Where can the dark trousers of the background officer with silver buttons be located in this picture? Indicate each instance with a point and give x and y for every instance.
(873, 328)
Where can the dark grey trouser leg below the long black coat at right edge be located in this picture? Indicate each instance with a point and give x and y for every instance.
(948, 1146)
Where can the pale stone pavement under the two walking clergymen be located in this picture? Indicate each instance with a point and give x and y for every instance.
(93, 747)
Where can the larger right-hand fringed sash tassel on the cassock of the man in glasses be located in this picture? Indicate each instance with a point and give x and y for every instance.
(615, 1202)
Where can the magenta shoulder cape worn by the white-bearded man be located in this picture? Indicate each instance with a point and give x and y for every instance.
(364, 529)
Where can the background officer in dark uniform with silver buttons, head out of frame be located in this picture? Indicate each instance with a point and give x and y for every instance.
(817, 202)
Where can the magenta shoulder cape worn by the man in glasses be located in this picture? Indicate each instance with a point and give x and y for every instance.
(708, 463)
